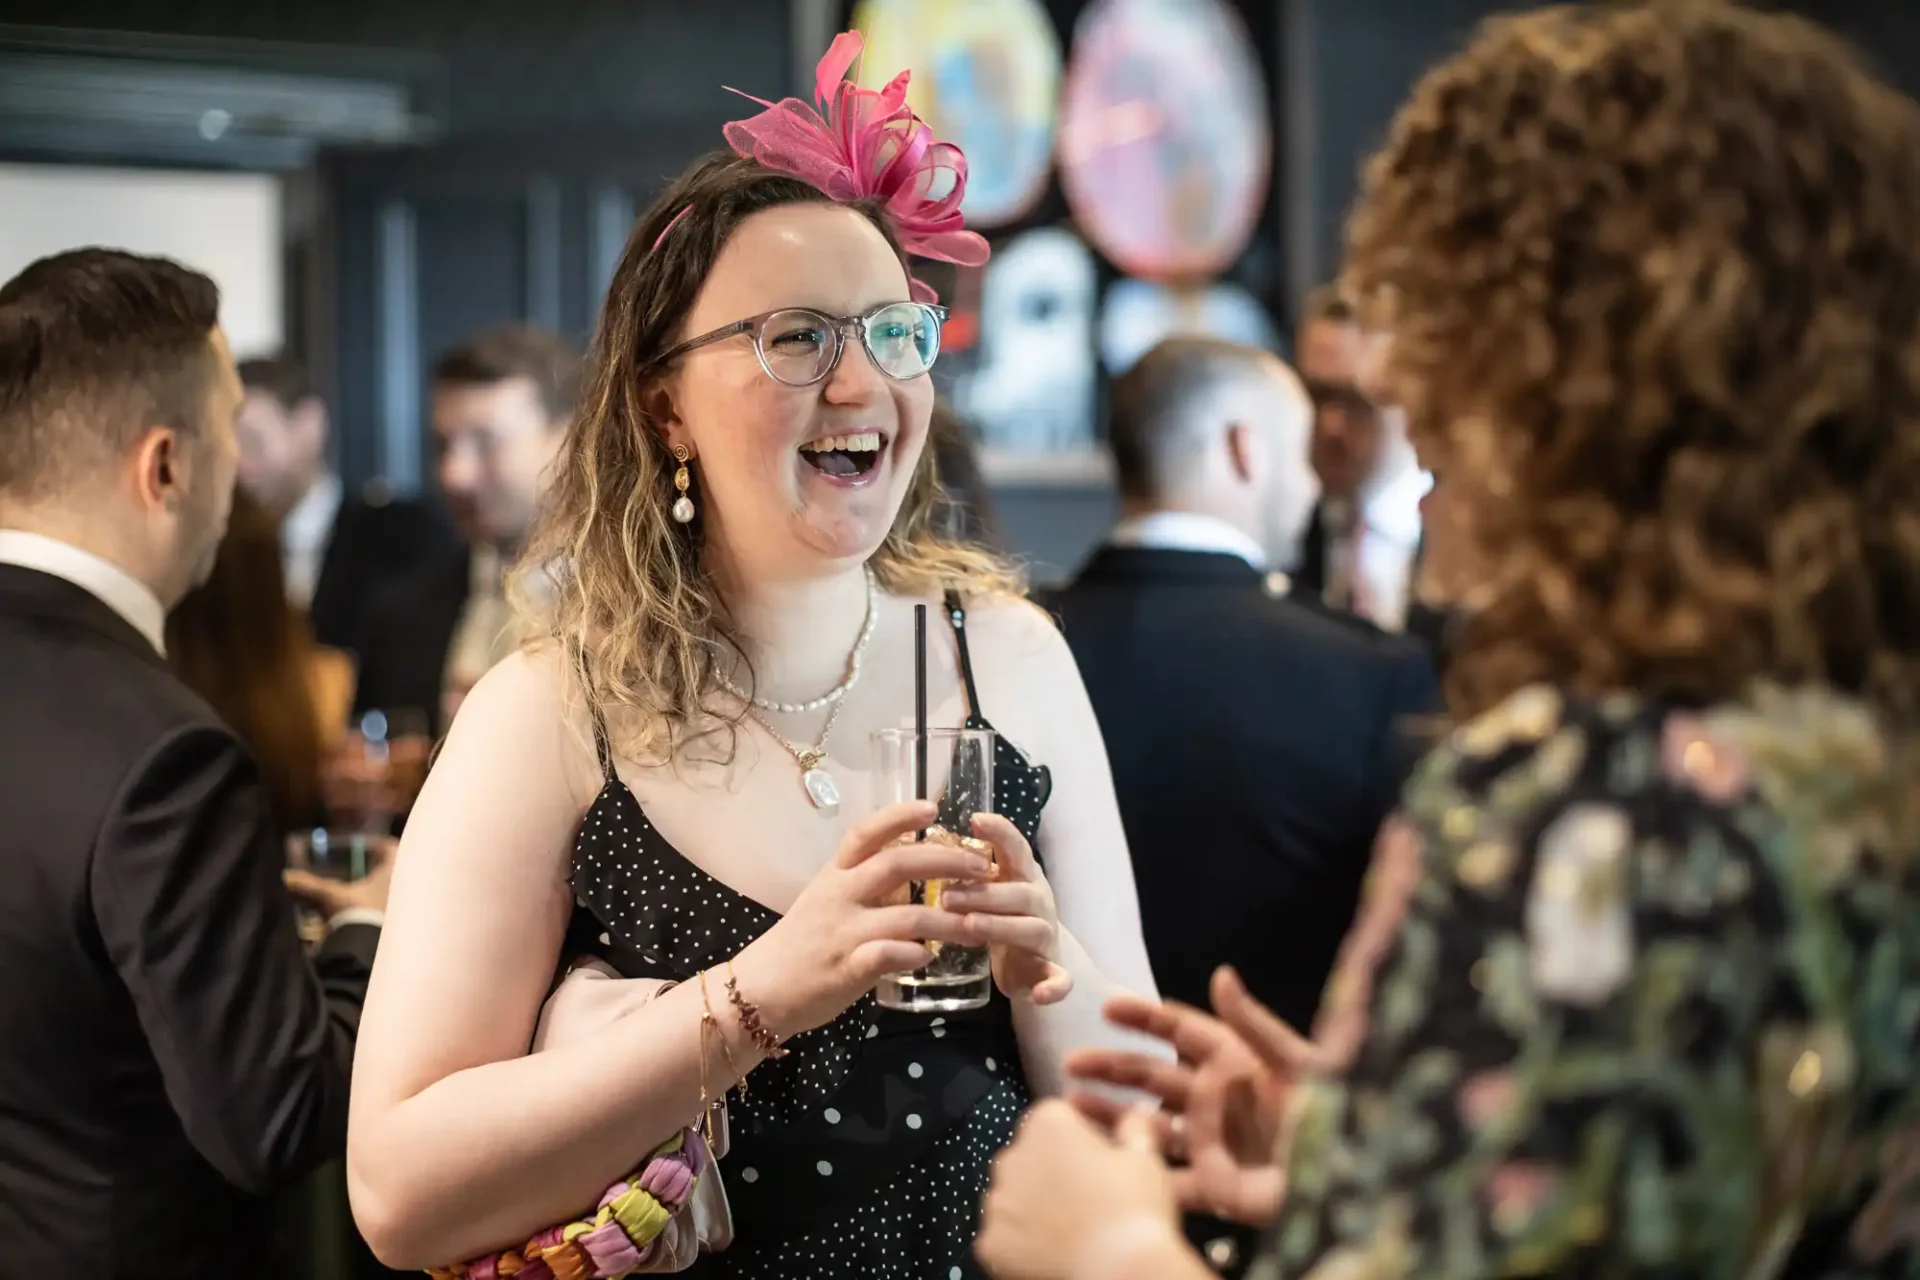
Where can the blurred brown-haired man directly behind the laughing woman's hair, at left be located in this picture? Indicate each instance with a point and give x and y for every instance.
(500, 412)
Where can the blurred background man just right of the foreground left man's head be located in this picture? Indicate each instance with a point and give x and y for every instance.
(341, 550)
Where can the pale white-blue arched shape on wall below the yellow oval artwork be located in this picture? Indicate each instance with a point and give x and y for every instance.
(1032, 389)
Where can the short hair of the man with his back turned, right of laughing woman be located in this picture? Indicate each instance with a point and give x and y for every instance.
(1161, 400)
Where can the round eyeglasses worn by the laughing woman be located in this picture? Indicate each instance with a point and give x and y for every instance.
(800, 346)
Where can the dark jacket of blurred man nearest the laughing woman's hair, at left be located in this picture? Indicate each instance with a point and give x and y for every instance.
(410, 630)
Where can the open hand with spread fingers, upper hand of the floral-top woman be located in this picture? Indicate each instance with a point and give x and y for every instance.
(1222, 1101)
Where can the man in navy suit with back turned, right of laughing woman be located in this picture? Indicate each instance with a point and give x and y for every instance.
(1257, 742)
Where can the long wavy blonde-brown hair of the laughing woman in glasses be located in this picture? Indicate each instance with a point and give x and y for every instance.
(610, 579)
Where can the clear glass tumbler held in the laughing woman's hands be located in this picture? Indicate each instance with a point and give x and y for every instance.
(959, 778)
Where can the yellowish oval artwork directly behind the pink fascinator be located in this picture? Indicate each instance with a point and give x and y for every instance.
(986, 80)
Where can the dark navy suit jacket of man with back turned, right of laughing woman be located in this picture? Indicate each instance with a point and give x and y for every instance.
(1257, 746)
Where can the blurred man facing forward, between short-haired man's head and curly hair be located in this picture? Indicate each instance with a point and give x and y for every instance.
(1364, 538)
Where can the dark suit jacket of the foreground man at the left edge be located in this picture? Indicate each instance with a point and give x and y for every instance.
(168, 1051)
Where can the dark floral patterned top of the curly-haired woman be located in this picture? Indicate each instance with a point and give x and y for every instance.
(1650, 1008)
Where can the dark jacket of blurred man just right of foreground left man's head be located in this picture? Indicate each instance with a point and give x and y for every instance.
(375, 542)
